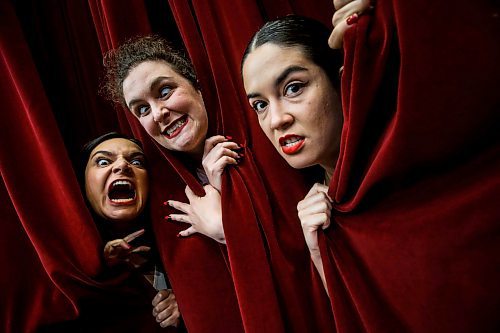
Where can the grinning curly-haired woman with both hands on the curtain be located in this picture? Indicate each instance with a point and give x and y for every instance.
(158, 85)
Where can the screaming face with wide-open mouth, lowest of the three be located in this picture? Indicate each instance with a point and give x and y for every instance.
(116, 180)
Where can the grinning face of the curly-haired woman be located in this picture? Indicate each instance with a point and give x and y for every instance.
(167, 105)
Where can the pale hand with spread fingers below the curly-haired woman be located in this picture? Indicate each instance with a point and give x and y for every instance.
(203, 213)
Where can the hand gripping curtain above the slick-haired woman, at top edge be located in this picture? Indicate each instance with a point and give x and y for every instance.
(346, 15)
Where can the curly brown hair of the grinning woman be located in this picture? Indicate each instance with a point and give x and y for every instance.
(120, 61)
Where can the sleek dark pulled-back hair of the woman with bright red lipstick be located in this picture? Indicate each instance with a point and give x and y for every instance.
(309, 35)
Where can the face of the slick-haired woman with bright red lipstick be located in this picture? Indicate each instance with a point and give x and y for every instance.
(296, 104)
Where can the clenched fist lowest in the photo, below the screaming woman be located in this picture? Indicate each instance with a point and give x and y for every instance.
(165, 308)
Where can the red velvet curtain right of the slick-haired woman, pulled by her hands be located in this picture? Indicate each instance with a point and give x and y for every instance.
(415, 235)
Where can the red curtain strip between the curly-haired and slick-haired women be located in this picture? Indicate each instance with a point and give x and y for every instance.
(276, 286)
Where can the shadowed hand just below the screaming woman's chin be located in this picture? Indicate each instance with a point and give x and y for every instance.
(120, 251)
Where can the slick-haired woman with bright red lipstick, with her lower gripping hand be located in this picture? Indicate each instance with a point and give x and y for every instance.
(298, 107)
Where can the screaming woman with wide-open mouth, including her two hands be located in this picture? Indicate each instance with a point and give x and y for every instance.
(116, 187)
